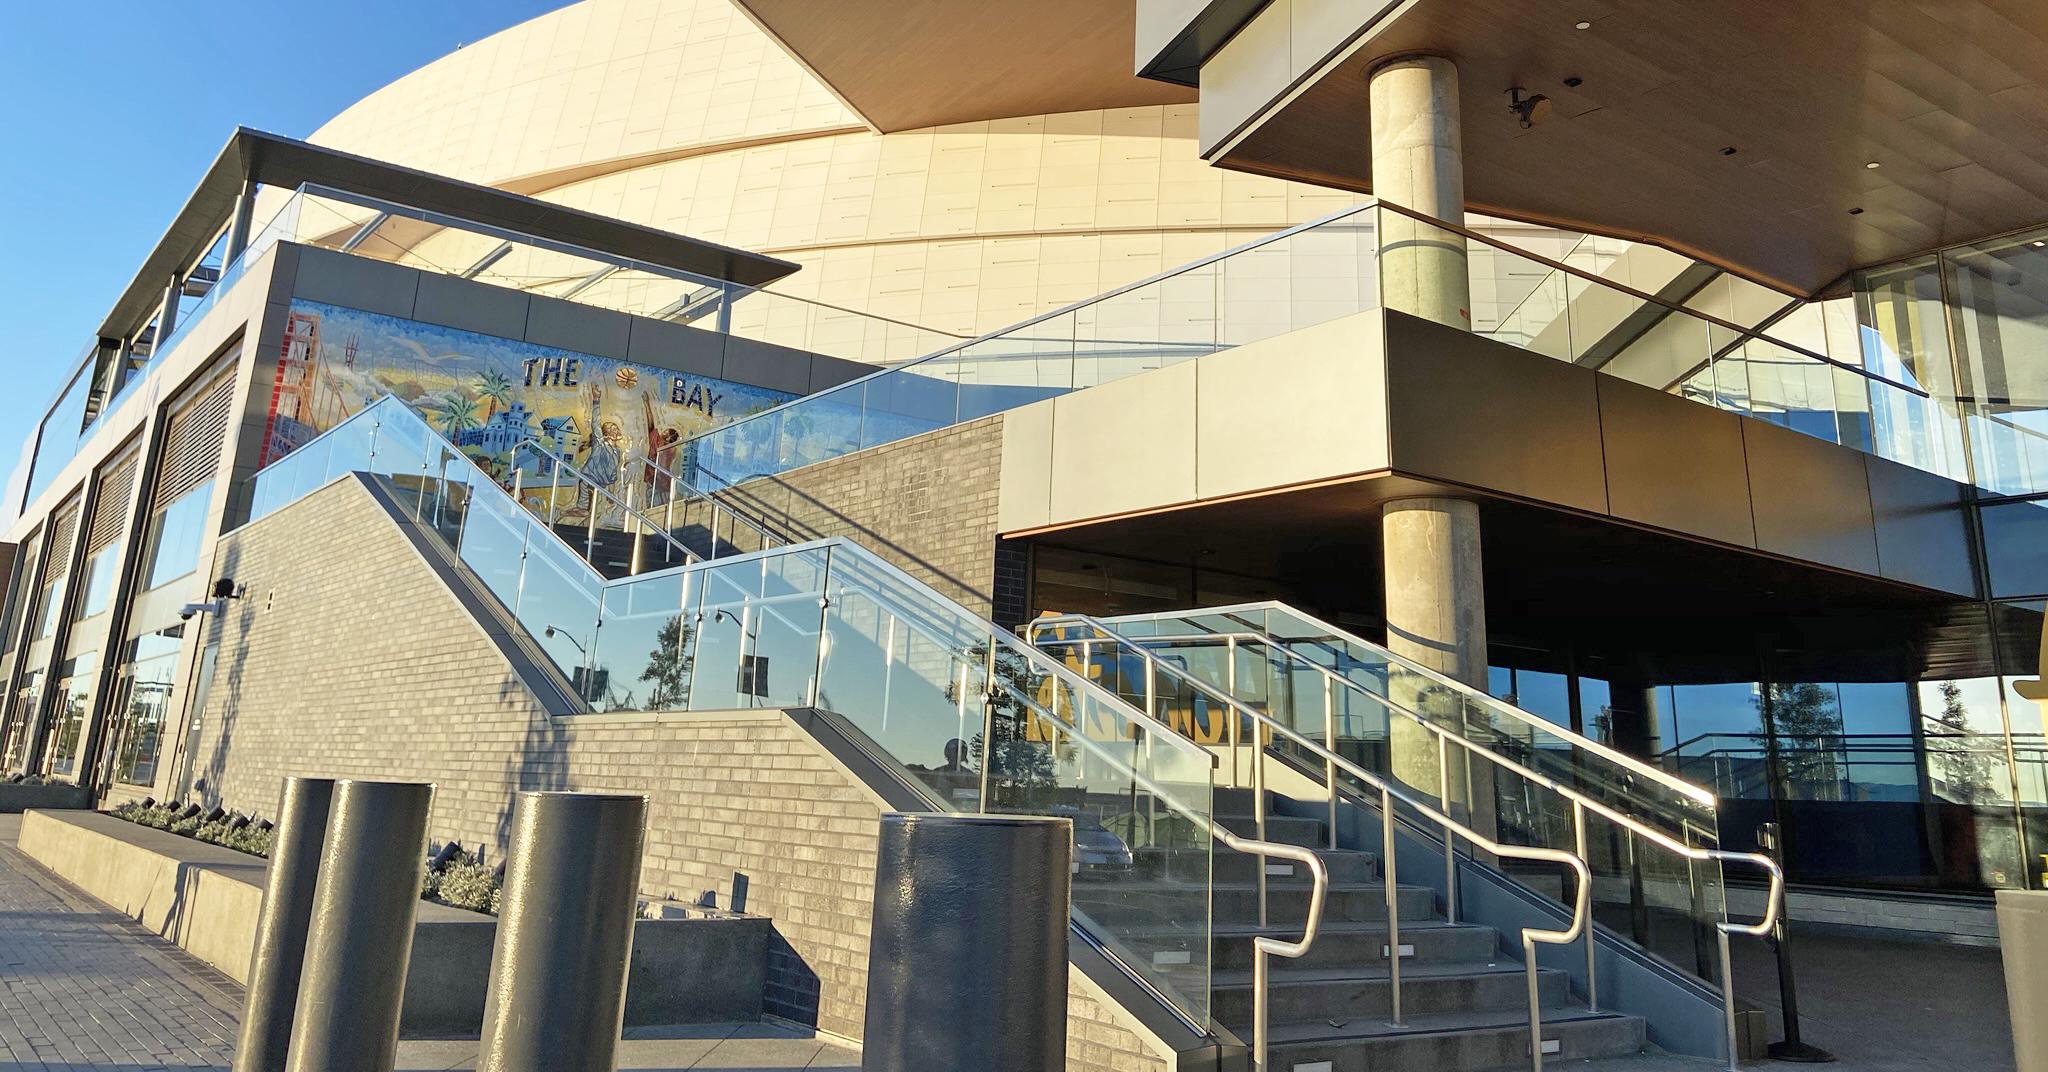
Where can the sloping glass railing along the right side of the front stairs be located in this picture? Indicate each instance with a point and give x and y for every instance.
(1332, 686)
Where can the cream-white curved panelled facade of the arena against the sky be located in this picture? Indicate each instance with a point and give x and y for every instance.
(687, 118)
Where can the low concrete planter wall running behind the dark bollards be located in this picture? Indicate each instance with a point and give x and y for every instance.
(208, 901)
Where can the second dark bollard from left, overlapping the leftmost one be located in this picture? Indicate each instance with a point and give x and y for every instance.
(361, 936)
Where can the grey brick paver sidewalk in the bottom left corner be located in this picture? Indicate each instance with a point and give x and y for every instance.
(83, 987)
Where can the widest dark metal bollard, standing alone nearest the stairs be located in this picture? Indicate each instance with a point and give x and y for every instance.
(968, 968)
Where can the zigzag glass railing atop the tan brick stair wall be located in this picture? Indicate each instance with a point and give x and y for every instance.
(970, 714)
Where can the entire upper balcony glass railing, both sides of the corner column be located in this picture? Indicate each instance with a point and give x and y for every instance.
(1316, 274)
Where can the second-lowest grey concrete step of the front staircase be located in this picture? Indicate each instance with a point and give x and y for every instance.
(1367, 995)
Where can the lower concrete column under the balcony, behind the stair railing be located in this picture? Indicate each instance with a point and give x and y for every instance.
(1437, 616)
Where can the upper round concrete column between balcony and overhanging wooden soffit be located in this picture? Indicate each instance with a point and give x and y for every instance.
(1418, 163)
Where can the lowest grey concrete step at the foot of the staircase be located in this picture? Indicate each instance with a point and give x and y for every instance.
(1451, 1042)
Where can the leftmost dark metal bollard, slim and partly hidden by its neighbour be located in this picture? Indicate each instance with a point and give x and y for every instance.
(288, 909)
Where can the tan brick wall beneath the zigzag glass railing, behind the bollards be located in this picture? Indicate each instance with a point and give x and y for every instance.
(349, 657)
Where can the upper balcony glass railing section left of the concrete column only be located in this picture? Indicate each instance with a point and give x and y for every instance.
(1275, 286)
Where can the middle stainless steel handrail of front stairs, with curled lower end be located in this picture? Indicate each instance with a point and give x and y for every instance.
(1390, 796)
